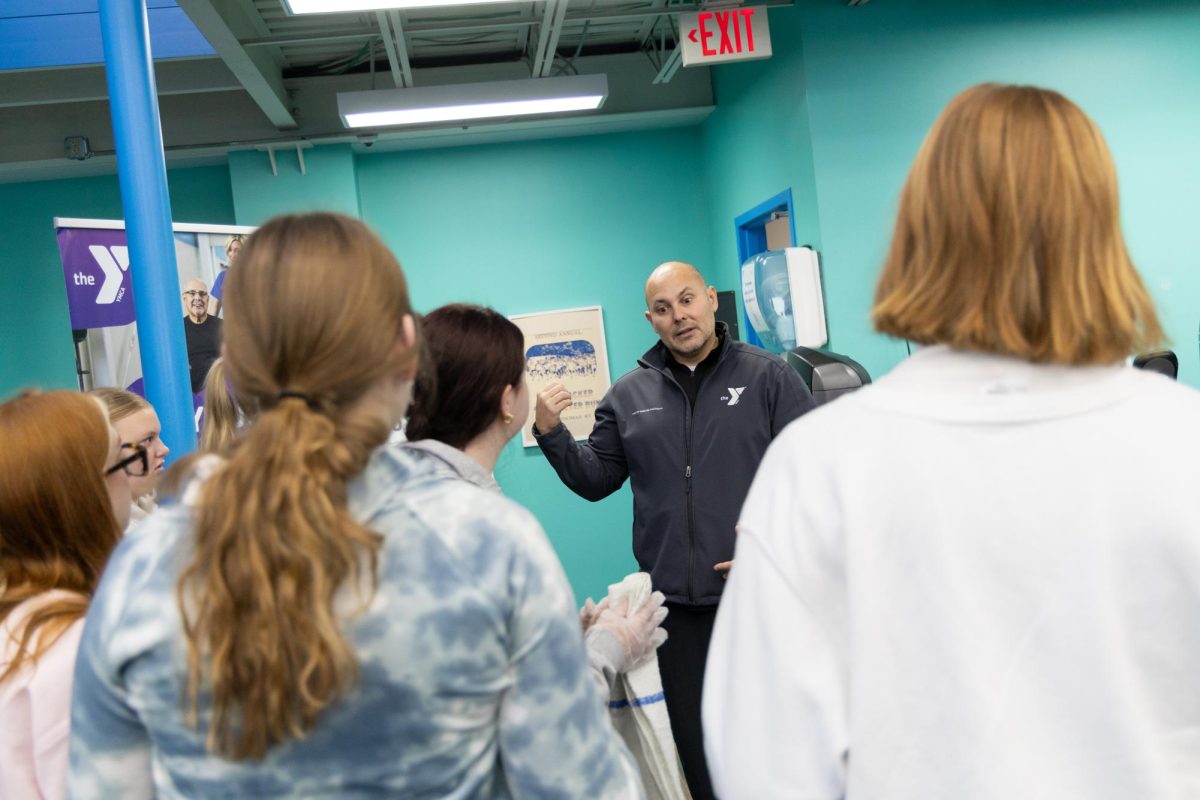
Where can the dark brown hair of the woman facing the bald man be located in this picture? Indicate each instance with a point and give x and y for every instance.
(475, 354)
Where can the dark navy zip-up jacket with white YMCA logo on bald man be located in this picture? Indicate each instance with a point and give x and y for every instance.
(691, 468)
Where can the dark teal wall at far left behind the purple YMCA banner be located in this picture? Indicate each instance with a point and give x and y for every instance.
(35, 329)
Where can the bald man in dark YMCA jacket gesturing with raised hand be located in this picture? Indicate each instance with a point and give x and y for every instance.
(688, 428)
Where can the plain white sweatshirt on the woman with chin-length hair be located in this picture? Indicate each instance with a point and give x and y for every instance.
(976, 580)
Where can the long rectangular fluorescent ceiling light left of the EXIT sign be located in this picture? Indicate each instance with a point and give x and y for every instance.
(475, 101)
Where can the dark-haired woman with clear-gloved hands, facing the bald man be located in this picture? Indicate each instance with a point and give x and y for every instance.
(469, 404)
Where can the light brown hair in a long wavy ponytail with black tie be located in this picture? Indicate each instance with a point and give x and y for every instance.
(314, 321)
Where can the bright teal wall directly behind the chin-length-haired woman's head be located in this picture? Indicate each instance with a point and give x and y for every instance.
(879, 75)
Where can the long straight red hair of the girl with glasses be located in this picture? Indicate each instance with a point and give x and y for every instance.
(57, 524)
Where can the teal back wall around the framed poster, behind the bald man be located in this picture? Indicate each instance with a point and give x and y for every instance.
(541, 226)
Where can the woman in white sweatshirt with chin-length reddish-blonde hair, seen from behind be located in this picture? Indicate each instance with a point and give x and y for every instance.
(981, 576)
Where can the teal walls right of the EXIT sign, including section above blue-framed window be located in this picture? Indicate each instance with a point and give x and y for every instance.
(841, 117)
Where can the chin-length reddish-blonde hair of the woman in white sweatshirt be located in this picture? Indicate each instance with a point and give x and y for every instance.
(1009, 238)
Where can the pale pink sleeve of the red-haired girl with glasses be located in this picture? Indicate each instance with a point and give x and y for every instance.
(50, 699)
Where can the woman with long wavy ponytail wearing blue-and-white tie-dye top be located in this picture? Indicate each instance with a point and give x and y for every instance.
(319, 616)
